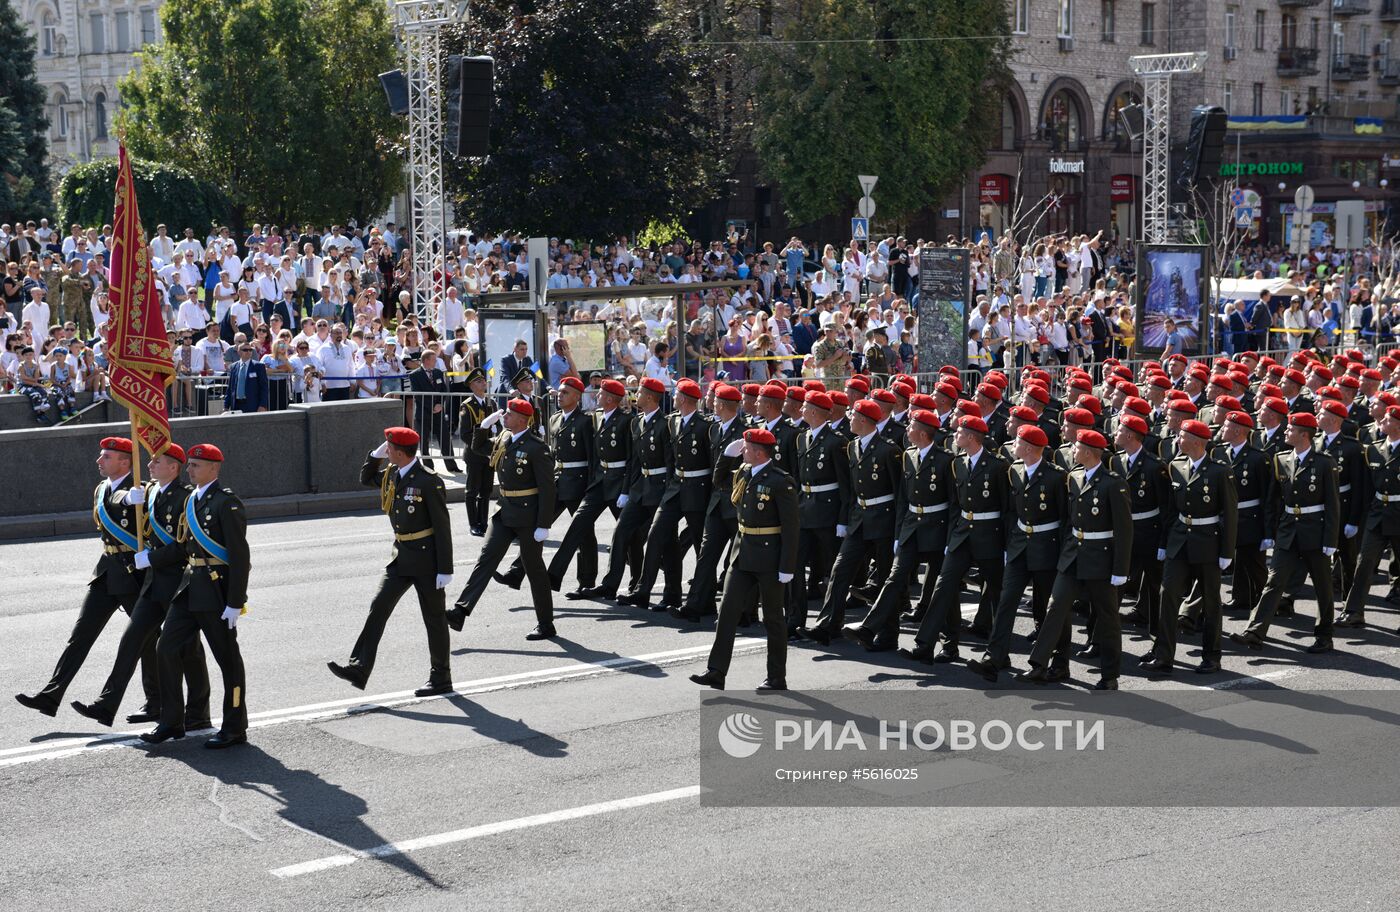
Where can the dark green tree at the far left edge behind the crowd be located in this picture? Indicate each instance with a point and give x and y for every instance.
(24, 172)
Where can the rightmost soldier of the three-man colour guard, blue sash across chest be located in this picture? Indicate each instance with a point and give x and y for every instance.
(212, 597)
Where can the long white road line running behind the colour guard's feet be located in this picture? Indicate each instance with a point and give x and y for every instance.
(332, 710)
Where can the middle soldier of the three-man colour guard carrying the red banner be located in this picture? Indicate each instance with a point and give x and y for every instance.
(163, 560)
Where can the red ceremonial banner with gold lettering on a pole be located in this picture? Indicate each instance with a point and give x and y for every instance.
(138, 351)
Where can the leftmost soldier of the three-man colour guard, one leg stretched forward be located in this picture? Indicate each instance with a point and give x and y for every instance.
(115, 582)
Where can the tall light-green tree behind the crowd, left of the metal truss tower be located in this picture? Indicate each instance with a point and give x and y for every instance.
(274, 102)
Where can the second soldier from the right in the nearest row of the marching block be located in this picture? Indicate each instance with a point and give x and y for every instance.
(1305, 518)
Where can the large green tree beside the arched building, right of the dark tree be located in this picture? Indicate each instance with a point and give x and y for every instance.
(899, 89)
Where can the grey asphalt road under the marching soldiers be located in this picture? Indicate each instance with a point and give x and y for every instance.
(565, 775)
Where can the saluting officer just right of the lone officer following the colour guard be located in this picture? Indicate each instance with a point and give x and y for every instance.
(526, 505)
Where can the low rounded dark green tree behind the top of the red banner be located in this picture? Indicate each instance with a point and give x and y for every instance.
(166, 194)
